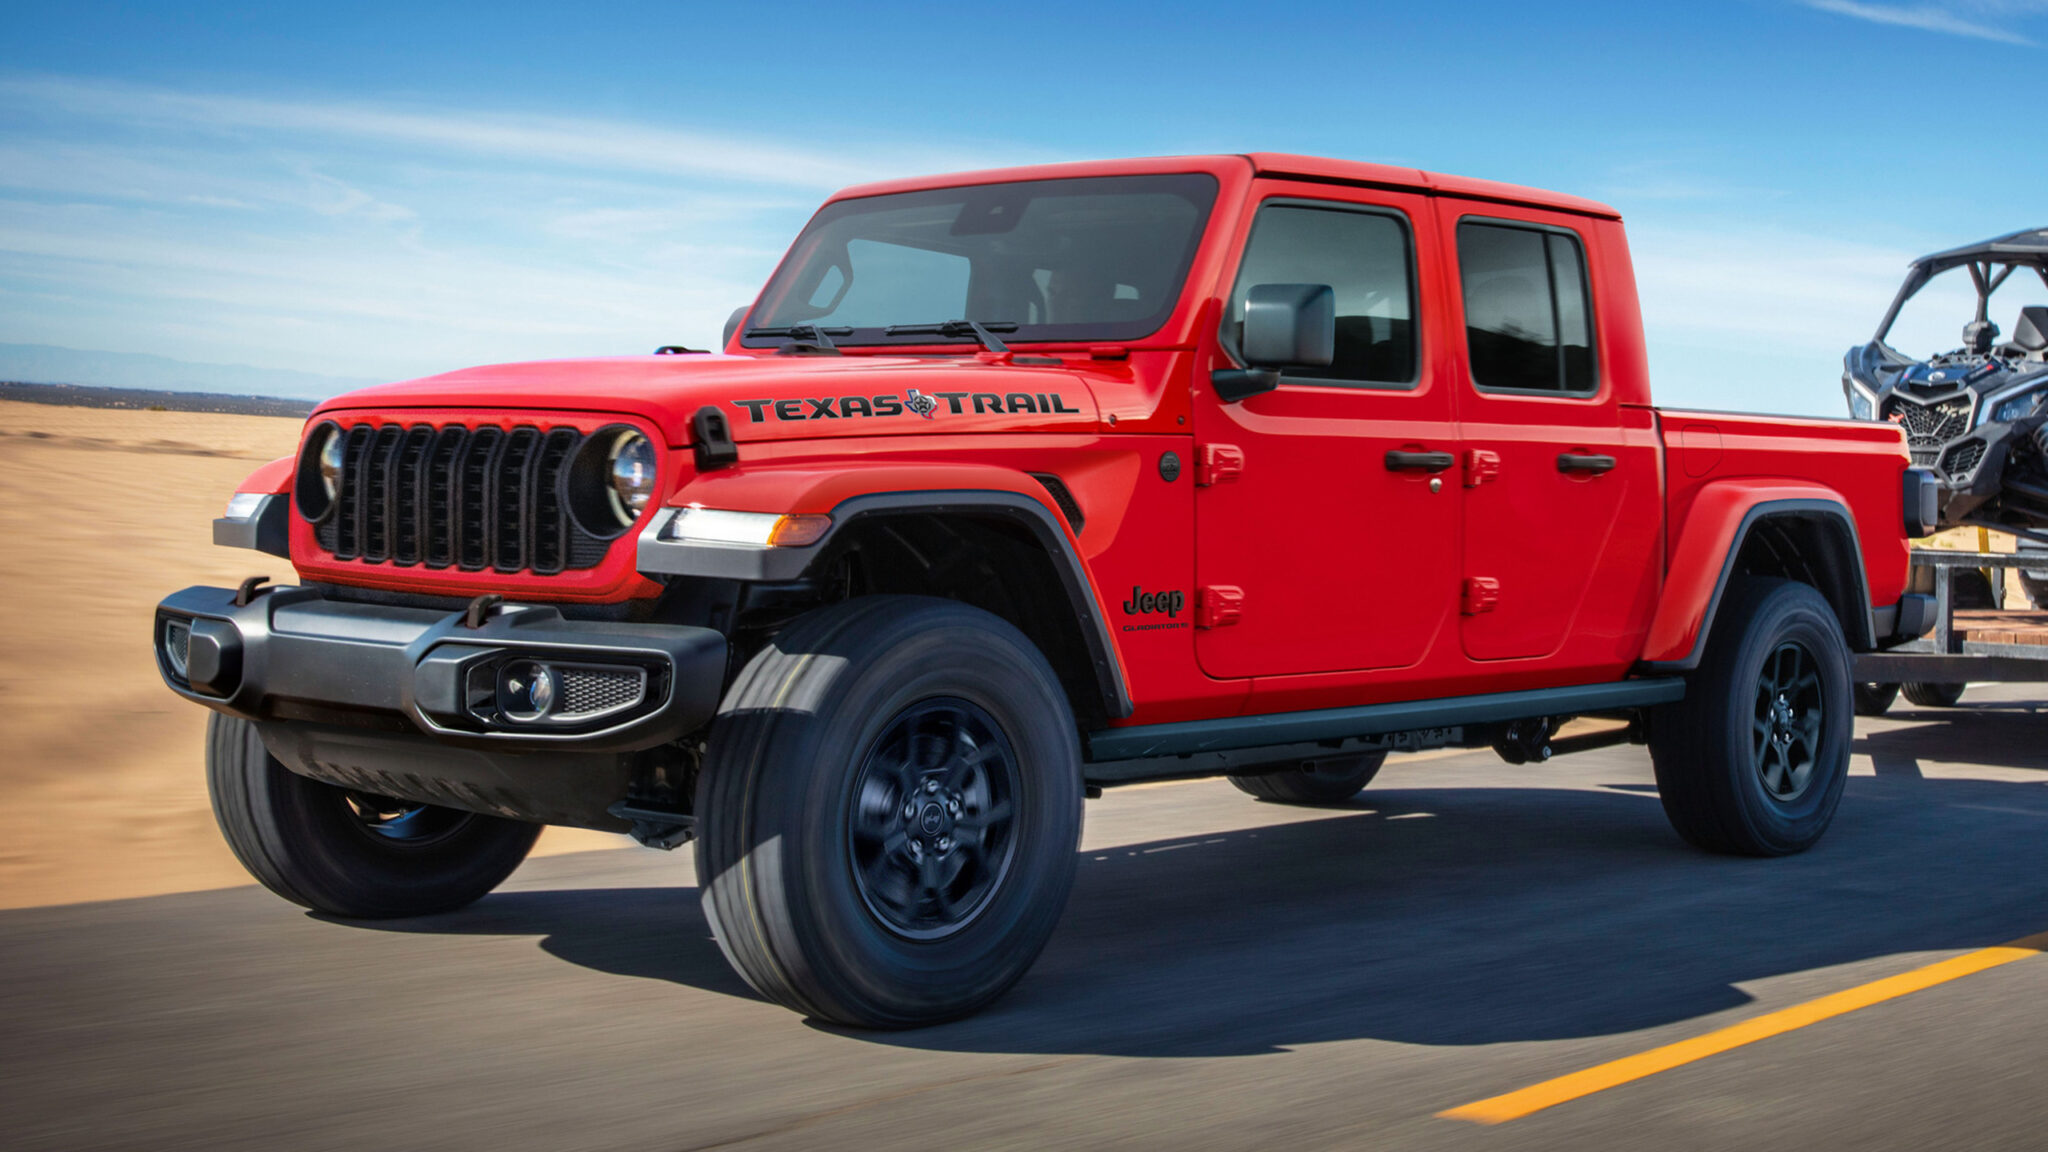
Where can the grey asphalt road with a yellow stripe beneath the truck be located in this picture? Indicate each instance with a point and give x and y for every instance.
(1230, 975)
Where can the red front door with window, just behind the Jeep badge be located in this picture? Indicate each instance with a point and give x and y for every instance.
(1328, 513)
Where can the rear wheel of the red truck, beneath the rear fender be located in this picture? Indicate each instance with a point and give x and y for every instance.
(1756, 757)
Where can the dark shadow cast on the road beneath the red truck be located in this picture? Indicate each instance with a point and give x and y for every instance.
(1439, 917)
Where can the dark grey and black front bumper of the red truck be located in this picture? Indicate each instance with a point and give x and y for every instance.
(411, 702)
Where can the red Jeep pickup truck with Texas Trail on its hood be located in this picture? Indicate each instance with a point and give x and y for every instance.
(1013, 487)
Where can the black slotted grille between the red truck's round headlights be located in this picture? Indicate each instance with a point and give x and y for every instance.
(458, 497)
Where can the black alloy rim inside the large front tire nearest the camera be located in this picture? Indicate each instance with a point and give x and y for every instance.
(931, 831)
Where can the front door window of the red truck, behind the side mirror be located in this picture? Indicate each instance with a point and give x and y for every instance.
(1367, 261)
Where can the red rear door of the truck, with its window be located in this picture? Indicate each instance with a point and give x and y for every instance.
(1555, 481)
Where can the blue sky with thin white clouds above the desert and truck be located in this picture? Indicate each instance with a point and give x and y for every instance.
(398, 190)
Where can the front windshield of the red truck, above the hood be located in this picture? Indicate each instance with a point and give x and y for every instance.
(1097, 259)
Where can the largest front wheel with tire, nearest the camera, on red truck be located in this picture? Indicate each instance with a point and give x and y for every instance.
(890, 813)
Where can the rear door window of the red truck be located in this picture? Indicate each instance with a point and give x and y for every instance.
(1527, 319)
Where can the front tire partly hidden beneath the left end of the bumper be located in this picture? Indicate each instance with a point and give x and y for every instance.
(349, 854)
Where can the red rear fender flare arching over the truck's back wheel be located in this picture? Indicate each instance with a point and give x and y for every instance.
(1721, 522)
